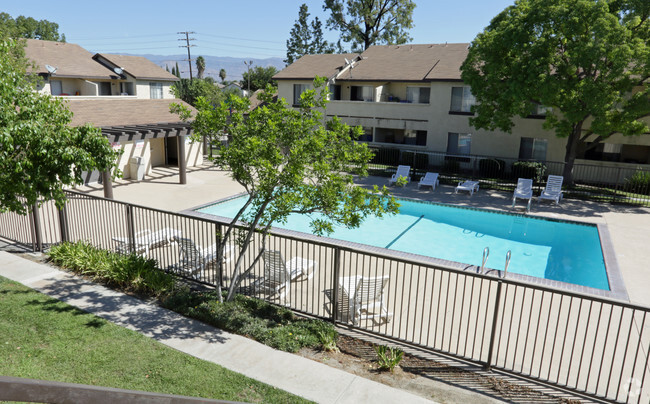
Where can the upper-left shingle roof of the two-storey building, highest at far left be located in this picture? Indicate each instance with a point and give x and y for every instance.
(70, 60)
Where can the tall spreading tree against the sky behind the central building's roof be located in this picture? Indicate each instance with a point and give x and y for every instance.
(363, 23)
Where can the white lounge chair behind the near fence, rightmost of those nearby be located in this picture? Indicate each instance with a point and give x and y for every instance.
(365, 298)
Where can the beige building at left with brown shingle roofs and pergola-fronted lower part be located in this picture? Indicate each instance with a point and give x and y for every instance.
(128, 97)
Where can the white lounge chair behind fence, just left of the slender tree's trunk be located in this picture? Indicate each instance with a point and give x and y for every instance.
(195, 260)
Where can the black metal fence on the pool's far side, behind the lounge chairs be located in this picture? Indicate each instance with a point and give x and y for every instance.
(622, 183)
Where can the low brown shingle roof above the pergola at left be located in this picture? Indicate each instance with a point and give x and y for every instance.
(120, 112)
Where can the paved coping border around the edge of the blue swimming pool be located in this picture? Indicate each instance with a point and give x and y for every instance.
(612, 269)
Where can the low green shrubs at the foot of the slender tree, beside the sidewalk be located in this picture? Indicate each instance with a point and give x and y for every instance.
(271, 325)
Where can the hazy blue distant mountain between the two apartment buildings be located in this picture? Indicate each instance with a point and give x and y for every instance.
(234, 67)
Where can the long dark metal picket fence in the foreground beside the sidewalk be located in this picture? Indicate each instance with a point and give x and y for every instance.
(595, 346)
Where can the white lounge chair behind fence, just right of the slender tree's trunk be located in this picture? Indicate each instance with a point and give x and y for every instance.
(278, 274)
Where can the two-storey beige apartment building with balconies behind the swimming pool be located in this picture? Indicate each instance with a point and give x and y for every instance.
(412, 97)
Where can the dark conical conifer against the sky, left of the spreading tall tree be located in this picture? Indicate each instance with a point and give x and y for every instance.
(305, 39)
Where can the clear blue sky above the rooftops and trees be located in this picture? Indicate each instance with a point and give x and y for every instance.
(244, 28)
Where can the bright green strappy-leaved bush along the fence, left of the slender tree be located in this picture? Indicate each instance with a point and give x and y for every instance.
(131, 272)
